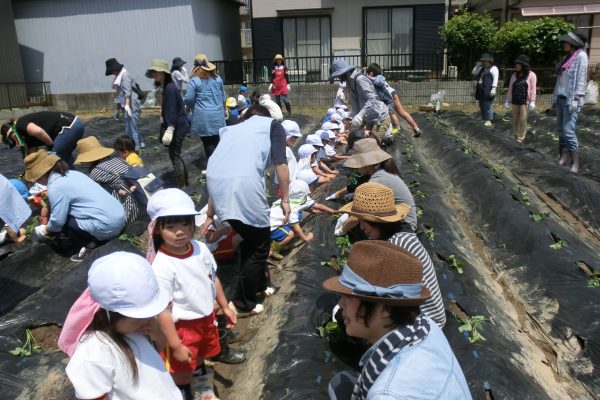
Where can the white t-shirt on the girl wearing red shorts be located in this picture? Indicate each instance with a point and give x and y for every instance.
(189, 280)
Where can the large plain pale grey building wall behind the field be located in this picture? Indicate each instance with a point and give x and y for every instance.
(67, 41)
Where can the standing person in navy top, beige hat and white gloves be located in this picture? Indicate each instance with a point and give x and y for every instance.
(174, 126)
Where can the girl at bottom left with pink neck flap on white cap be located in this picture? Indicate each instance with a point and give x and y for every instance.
(112, 336)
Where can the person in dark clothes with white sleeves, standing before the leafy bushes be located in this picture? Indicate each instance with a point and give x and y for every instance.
(487, 75)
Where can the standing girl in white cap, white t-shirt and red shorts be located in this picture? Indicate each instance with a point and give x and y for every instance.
(187, 271)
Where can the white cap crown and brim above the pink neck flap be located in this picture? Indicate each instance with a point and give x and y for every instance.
(125, 283)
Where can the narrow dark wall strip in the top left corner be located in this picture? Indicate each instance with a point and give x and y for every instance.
(11, 69)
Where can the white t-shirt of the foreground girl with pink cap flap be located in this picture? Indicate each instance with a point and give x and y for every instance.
(98, 367)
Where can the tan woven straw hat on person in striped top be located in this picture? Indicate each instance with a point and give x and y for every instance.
(376, 203)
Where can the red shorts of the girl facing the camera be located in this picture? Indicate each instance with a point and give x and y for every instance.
(201, 336)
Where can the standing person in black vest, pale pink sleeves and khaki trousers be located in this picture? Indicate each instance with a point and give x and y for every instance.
(521, 96)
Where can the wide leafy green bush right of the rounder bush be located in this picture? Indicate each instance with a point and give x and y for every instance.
(538, 38)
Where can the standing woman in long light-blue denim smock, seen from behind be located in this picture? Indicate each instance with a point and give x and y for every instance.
(206, 96)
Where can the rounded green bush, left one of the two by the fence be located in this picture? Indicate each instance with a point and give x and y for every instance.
(466, 36)
